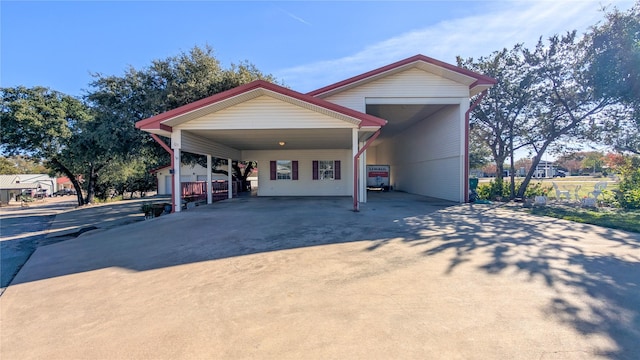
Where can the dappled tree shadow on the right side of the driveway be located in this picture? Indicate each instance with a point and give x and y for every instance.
(594, 271)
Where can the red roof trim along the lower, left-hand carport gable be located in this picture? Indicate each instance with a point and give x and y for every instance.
(155, 121)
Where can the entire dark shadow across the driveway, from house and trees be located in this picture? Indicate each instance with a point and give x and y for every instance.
(594, 272)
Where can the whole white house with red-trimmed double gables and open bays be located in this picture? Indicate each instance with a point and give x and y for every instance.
(411, 115)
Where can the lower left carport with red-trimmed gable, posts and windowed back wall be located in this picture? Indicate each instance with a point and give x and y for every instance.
(270, 124)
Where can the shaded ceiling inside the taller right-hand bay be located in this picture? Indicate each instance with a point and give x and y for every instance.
(401, 117)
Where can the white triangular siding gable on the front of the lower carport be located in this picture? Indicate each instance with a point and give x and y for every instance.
(265, 112)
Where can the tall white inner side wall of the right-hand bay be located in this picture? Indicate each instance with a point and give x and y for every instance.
(426, 158)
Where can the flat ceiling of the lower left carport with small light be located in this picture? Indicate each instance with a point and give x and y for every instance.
(269, 139)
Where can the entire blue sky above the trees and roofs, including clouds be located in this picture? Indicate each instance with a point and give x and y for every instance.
(306, 45)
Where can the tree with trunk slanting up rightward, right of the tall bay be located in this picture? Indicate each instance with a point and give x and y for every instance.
(565, 105)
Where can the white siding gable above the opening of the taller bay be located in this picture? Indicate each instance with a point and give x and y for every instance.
(412, 83)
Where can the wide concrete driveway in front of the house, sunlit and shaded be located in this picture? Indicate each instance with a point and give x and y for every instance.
(279, 278)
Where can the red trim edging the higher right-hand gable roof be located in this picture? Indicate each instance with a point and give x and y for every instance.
(480, 79)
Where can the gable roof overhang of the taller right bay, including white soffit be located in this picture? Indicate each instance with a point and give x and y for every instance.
(476, 82)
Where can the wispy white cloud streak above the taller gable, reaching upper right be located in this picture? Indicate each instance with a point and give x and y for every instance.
(503, 25)
